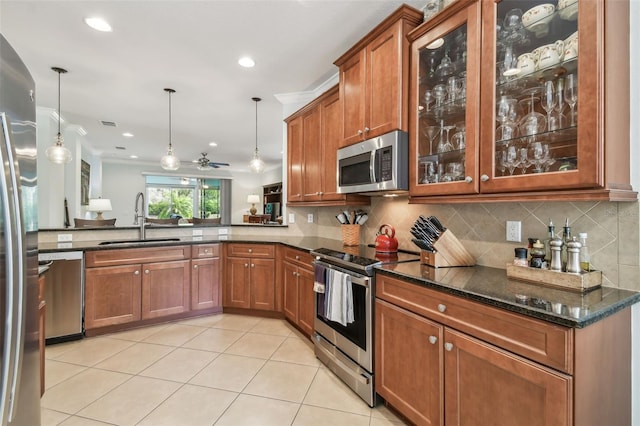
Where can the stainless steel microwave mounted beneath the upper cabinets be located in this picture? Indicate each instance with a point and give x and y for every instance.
(375, 166)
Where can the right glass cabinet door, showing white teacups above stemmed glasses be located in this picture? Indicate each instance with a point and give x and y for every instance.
(530, 113)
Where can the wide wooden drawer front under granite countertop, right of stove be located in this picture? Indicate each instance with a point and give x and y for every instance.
(540, 341)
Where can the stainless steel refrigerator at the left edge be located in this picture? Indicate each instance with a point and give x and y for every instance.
(19, 350)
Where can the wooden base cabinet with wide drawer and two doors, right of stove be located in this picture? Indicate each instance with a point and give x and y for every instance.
(474, 361)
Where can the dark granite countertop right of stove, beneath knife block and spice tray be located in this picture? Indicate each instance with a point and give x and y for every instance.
(492, 287)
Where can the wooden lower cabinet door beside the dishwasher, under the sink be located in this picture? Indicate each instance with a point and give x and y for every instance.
(112, 295)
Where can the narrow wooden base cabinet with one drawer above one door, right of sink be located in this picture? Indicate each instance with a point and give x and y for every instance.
(206, 292)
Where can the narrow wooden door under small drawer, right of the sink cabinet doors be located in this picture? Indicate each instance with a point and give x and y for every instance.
(205, 283)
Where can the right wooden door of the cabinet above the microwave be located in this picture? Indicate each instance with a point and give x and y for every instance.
(384, 89)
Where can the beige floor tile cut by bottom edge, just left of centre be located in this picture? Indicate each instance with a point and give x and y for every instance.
(253, 410)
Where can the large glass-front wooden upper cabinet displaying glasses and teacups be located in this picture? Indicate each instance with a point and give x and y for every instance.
(527, 136)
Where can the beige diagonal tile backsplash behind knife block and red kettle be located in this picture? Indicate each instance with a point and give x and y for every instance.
(613, 229)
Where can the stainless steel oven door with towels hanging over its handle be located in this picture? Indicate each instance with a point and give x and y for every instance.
(354, 339)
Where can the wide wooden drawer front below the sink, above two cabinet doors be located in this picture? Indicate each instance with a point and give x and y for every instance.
(135, 255)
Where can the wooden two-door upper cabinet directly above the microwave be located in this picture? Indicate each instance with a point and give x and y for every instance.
(374, 79)
